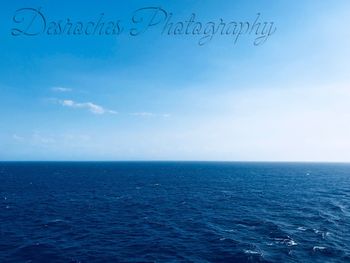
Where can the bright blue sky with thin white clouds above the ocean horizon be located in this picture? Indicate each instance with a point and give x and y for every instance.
(166, 96)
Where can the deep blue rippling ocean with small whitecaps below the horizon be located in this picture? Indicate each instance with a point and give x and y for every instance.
(174, 212)
